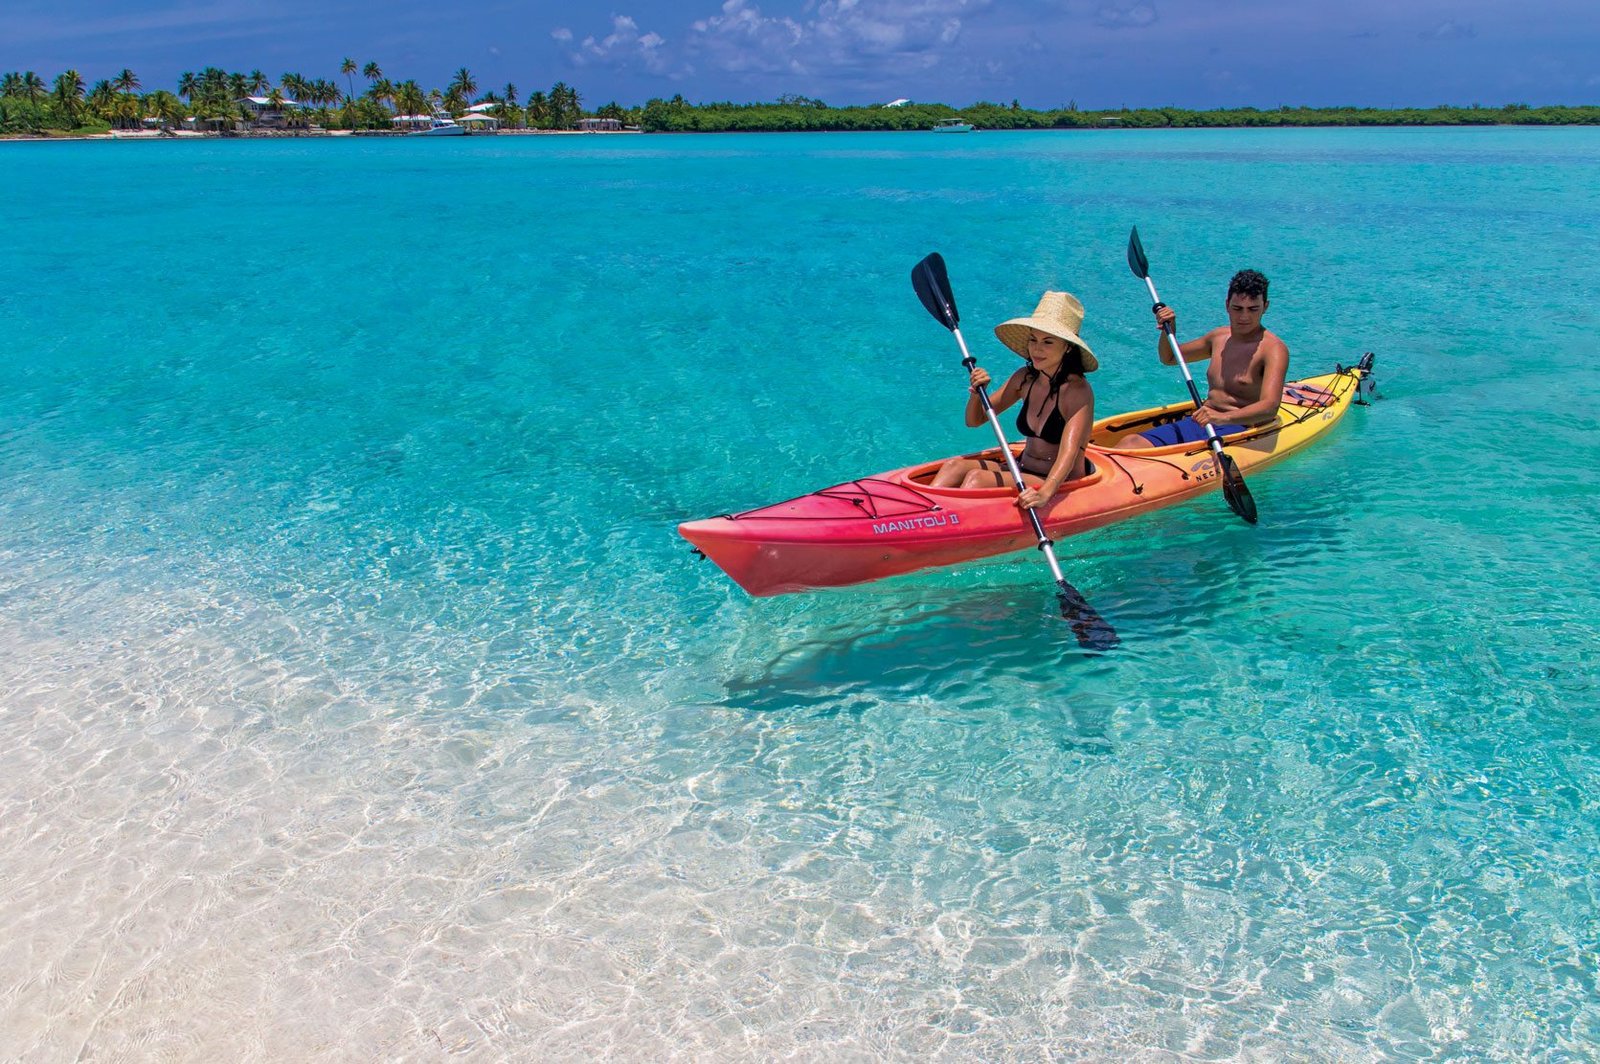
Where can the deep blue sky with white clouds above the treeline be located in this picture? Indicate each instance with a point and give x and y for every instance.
(1100, 54)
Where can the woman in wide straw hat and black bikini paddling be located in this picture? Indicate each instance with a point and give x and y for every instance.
(1058, 406)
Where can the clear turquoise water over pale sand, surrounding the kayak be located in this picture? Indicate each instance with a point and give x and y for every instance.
(358, 697)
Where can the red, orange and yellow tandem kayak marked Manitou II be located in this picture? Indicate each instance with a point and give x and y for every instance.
(898, 522)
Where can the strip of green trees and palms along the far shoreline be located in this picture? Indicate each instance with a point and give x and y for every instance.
(215, 102)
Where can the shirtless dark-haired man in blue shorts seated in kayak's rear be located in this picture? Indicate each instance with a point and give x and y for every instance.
(1246, 378)
